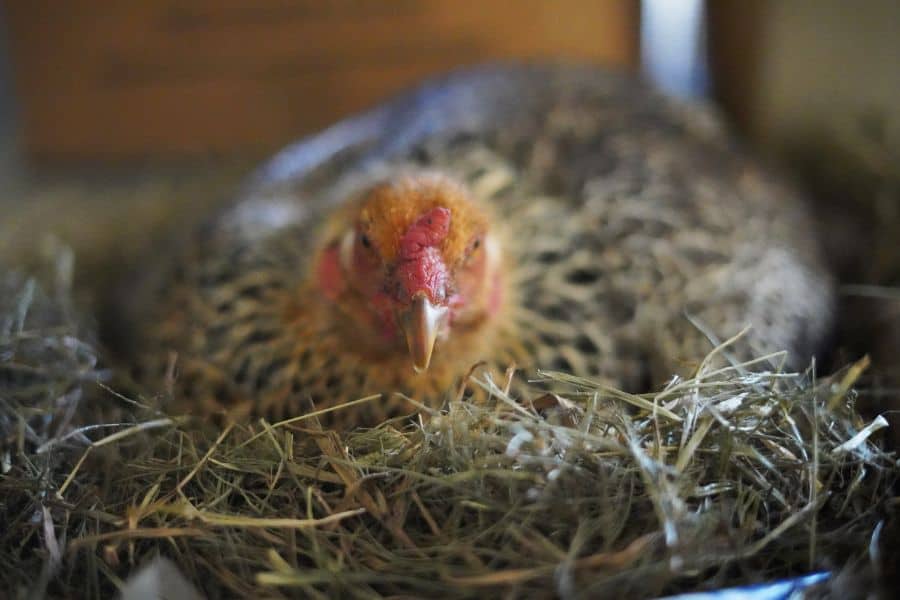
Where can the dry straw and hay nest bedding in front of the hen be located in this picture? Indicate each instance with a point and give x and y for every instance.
(743, 473)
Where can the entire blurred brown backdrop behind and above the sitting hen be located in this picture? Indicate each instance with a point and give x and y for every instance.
(120, 118)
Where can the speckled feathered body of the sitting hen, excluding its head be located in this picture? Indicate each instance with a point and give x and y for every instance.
(617, 214)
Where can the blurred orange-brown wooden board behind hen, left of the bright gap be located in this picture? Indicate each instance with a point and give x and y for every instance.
(107, 79)
